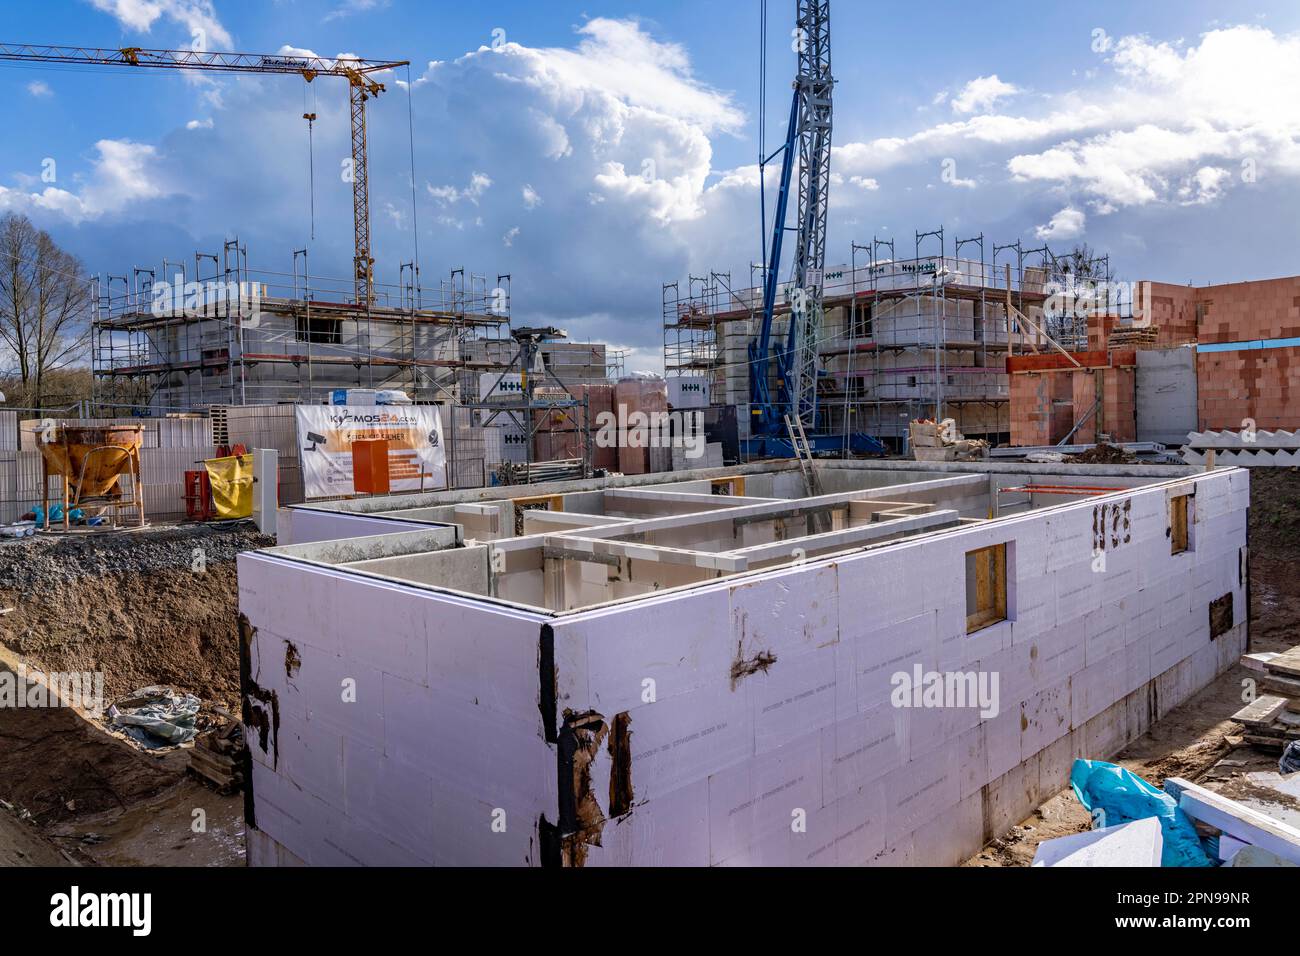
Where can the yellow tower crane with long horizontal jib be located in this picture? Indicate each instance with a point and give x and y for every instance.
(361, 84)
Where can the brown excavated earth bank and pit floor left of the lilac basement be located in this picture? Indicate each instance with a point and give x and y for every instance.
(144, 608)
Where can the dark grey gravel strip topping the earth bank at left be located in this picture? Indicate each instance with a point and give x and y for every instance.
(32, 564)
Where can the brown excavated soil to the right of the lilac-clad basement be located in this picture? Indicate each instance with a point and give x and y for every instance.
(1191, 739)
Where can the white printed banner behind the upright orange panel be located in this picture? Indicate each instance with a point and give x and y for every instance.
(327, 432)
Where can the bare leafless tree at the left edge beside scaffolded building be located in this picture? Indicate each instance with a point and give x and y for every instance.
(45, 309)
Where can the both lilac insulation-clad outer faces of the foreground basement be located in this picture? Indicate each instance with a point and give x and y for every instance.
(751, 721)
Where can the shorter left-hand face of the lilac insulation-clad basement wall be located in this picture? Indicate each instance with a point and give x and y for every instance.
(402, 726)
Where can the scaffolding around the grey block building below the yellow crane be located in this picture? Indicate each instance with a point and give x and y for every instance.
(214, 332)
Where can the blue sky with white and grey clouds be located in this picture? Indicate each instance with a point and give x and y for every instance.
(595, 150)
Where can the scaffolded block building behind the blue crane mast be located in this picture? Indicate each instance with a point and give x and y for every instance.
(908, 334)
